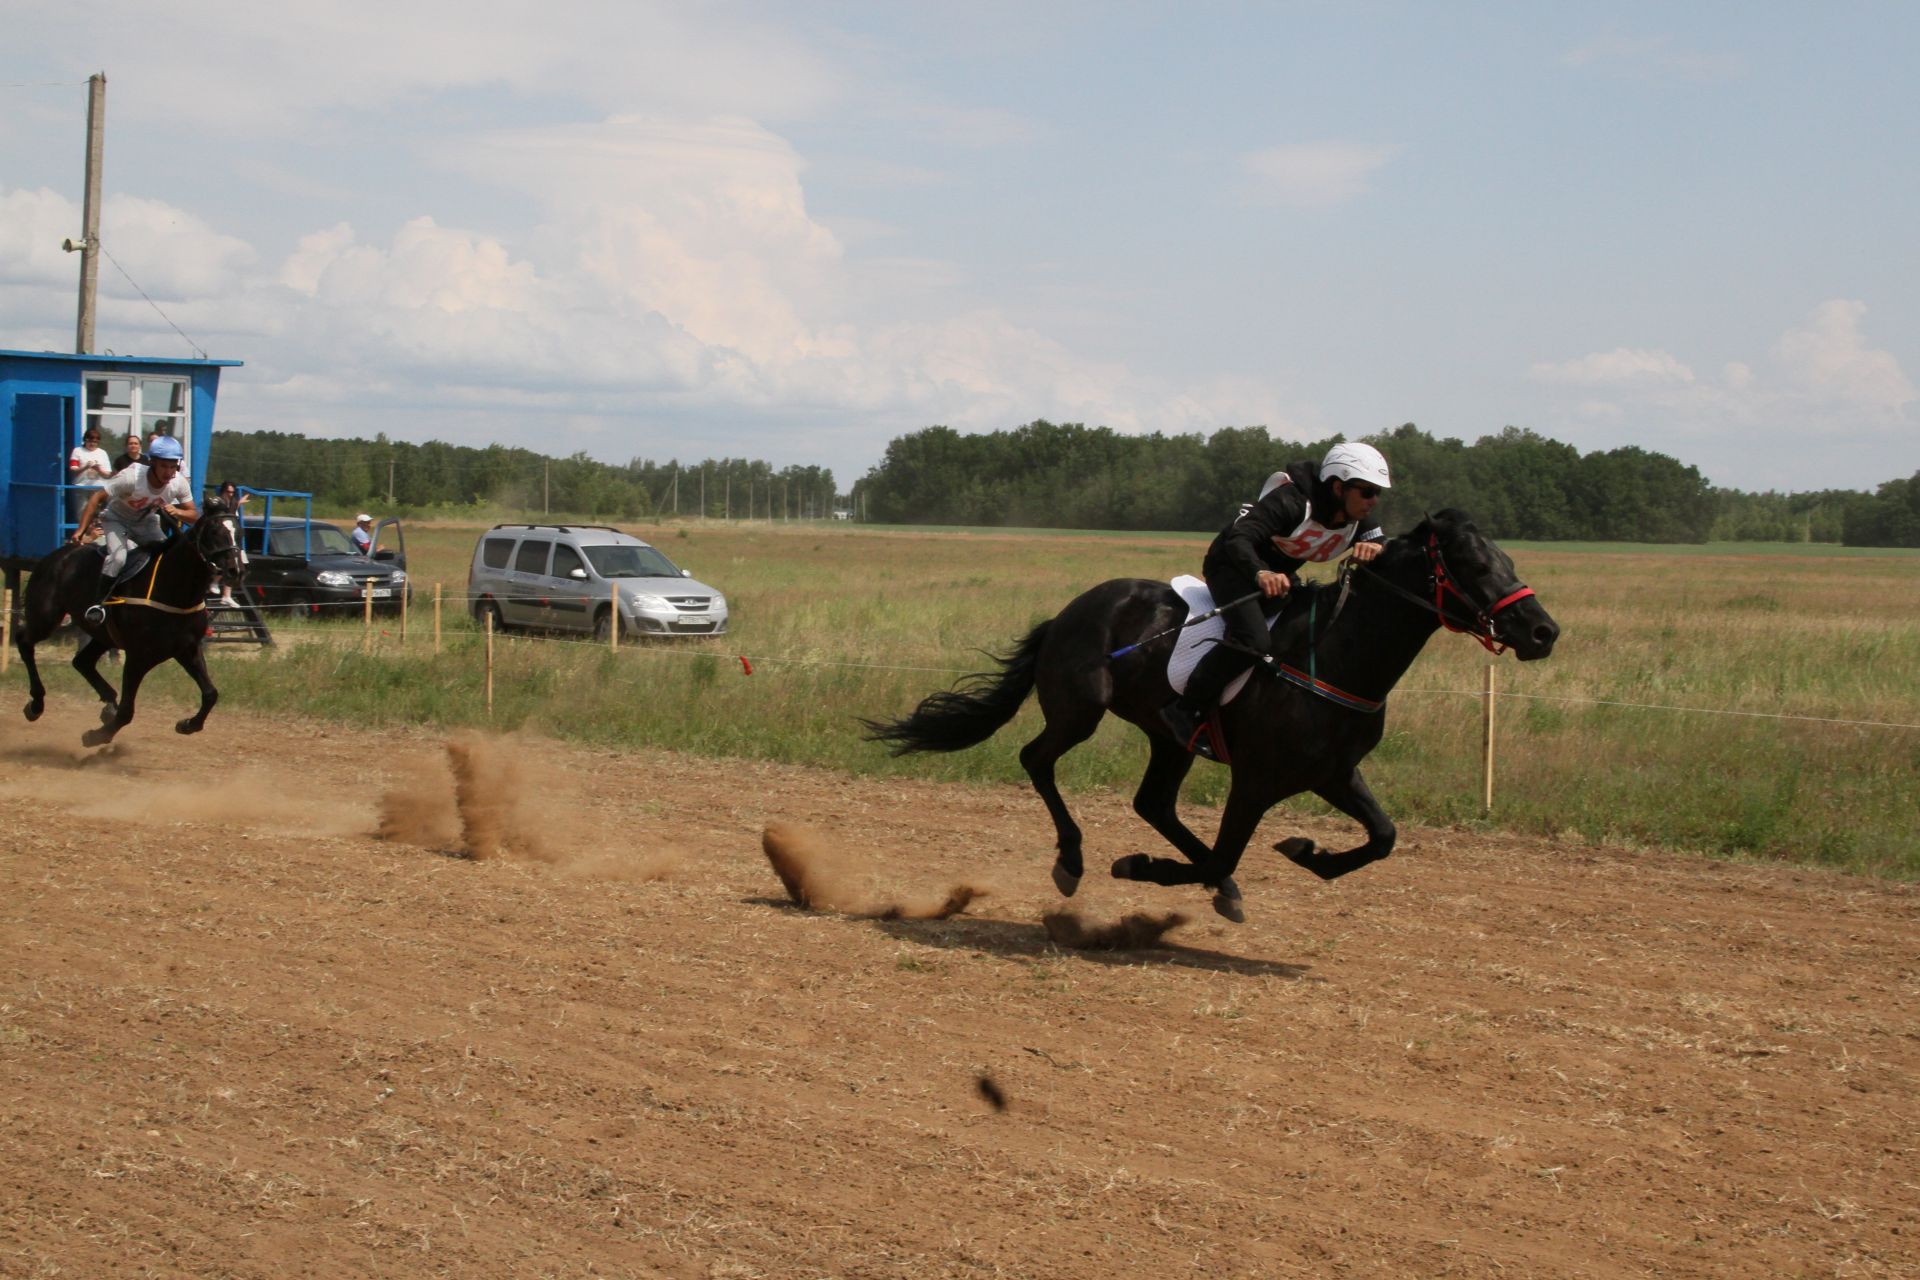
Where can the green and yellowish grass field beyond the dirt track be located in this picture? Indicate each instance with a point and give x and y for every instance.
(1740, 701)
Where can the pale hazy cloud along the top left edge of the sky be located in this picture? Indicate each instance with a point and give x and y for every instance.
(247, 70)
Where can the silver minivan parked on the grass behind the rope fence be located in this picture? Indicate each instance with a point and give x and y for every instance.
(567, 579)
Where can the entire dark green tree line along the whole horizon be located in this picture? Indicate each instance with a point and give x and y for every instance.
(1044, 475)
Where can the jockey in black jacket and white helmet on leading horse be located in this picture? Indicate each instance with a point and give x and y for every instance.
(1305, 513)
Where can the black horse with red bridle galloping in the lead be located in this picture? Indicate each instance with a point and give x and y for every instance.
(1305, 721)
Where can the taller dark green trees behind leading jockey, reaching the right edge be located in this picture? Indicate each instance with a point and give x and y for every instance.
(1518, 485)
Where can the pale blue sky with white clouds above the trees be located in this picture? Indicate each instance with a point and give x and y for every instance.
(798, 231)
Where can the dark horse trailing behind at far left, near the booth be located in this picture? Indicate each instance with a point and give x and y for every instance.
(158, 613)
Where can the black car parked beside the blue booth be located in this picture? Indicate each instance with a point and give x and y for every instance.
(293, 561)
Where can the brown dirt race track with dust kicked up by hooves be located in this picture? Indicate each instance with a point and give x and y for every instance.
(243, 1035)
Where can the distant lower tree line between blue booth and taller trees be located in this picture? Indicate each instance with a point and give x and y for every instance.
(431, 477)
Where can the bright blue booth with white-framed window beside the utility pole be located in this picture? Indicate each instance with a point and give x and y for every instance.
(47, 404)
